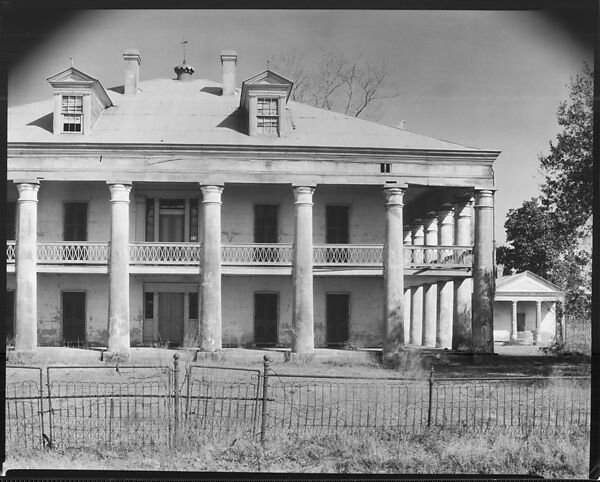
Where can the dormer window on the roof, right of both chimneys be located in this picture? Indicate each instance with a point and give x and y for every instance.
(264, 99)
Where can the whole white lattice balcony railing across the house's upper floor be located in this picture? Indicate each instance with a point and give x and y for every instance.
(188, 254)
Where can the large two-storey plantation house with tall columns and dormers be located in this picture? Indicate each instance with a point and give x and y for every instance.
(194, 212)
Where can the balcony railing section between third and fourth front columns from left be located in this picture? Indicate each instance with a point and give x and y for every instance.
(251, 254)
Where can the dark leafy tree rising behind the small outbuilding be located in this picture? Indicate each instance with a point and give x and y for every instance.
(551, 236)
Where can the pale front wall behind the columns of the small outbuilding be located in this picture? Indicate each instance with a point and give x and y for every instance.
(503, 317)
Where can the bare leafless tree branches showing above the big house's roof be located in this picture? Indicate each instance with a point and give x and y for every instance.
(336, 82)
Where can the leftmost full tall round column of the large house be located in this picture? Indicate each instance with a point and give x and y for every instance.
(26, 267)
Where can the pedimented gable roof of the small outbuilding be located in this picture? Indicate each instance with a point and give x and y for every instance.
(526, 285)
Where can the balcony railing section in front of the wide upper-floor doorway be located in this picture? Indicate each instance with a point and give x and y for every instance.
(164, 253)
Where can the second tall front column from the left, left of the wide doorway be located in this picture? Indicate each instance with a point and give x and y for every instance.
(118, 272)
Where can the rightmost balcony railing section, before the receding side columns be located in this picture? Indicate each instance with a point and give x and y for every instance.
(416, 256)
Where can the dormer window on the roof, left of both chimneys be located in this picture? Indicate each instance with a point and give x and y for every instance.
(79, 101)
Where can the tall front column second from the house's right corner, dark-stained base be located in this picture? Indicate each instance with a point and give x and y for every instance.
(393, 271)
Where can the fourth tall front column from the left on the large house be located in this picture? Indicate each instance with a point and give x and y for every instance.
(303, 339)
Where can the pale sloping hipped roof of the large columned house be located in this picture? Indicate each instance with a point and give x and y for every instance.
(167, 111)
